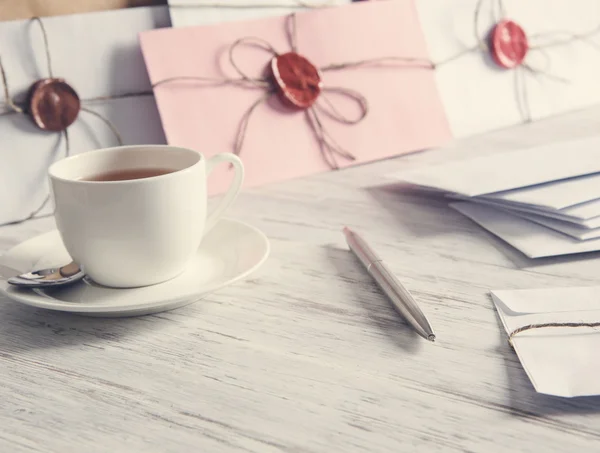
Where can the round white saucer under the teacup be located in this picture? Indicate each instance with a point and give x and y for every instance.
(229, 252)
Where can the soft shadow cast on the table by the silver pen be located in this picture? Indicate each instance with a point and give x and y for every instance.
(379, 312)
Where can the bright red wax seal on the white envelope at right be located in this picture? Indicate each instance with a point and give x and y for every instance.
(509, 44)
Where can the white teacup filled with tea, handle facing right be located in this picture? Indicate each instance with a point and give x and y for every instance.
(136, 232)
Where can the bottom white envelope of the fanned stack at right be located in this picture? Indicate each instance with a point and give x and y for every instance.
(532, 239)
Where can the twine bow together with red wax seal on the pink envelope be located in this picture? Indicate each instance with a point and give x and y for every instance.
(299, 86)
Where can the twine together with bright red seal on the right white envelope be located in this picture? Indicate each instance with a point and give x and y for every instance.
(508, 44)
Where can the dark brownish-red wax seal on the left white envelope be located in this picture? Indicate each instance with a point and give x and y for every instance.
(53, 104)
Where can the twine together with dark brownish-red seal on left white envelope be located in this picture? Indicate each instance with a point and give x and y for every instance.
(52, 104)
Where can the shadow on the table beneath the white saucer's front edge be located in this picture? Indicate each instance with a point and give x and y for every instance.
(24, 328)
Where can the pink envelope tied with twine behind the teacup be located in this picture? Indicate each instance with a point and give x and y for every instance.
(405, 112)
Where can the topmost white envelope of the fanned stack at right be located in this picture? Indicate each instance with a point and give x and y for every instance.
(504, 171)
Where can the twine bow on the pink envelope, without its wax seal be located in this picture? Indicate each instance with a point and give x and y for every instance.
(329, 148)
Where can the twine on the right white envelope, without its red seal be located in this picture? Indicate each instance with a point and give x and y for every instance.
(498, 11)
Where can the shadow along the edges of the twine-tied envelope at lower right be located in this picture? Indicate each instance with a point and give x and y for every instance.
(524, 401)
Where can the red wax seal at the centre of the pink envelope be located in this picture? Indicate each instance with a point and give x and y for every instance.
(297, 80)
